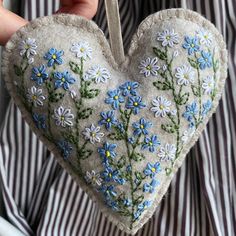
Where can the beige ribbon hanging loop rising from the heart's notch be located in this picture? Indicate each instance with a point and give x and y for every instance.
(114, 27)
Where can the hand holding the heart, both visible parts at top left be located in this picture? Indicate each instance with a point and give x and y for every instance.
(10, 22)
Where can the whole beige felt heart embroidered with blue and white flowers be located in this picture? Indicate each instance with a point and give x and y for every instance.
(122, 132)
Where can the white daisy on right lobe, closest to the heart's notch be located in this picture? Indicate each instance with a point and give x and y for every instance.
(149, 67)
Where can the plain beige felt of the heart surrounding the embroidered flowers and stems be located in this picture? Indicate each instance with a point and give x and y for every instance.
(61, 32)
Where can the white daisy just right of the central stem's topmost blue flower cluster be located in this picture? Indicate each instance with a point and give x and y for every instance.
(161, 106)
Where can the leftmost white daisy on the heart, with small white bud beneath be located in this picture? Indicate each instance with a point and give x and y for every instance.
(28, 49)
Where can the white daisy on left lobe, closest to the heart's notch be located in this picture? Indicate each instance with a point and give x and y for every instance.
(97, 73)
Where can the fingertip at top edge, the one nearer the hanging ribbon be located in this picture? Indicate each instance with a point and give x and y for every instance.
(85, 8)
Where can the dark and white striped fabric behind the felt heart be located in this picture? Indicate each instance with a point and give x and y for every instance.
(41, 198)
